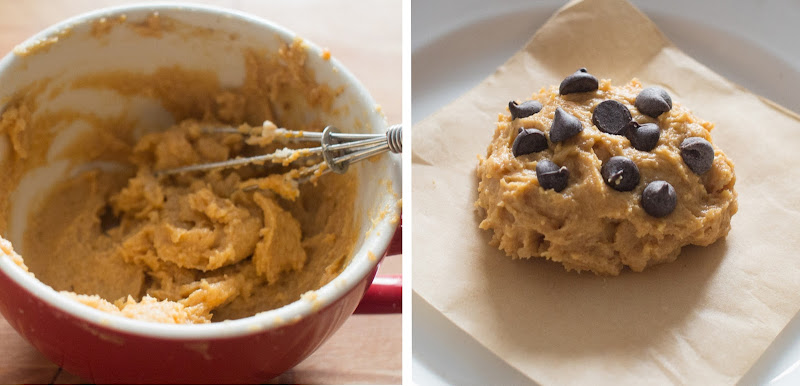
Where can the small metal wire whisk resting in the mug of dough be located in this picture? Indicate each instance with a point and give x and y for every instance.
(337, 149)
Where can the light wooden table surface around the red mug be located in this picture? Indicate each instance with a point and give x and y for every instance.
(366, 37)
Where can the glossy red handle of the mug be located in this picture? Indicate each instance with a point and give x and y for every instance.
(385, 294)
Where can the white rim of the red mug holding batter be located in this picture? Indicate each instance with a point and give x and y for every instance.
(359, 267)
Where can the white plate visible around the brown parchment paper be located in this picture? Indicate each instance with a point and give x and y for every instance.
(457, 43)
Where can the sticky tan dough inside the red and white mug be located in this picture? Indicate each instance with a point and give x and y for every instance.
(190, 248)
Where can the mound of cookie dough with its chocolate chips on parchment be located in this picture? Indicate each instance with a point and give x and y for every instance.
(558, 194)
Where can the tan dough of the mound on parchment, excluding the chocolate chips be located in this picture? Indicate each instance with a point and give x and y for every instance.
(589, 226)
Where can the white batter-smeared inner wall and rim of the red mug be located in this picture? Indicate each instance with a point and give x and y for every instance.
(202, 41)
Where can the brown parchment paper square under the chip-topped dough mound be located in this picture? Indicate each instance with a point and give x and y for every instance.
(703, 319)
